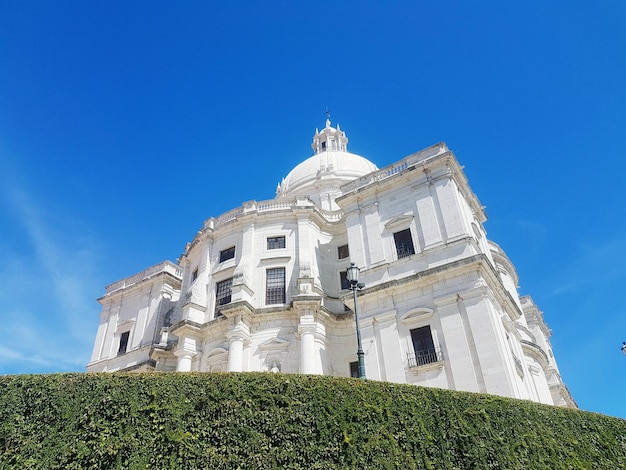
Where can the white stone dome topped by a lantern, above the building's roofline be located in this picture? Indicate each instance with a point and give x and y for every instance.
(321, 176)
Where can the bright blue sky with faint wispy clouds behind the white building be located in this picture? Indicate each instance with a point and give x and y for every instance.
(124, 125)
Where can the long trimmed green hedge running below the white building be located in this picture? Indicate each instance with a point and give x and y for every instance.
(257, 421)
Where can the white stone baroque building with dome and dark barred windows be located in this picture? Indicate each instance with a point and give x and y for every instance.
(263, 287)
